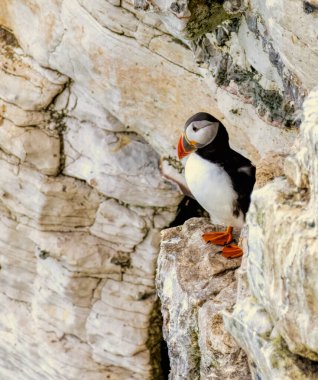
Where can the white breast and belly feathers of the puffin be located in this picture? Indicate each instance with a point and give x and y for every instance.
(212, 188)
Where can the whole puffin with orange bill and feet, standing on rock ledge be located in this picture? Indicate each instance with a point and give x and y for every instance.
(219, 178)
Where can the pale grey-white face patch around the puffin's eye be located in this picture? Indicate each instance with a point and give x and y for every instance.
(202, 132)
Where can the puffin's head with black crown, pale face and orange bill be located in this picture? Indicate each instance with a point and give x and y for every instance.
(199, 131)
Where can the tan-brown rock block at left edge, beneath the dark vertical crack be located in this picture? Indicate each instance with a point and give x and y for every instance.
(56, 203)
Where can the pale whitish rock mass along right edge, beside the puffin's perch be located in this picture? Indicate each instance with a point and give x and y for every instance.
(274, 319)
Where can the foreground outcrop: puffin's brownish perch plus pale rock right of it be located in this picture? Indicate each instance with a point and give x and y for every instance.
(269, 304)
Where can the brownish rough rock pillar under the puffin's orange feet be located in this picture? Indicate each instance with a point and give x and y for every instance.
(196, 285)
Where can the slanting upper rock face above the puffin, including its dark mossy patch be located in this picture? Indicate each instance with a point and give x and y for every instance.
(104, 47)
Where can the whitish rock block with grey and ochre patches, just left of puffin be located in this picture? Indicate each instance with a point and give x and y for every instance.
(113, 163)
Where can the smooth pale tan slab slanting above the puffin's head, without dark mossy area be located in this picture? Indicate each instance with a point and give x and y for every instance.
(104, 48)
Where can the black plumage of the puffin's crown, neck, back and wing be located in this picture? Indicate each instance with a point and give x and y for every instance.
(240, 169)
